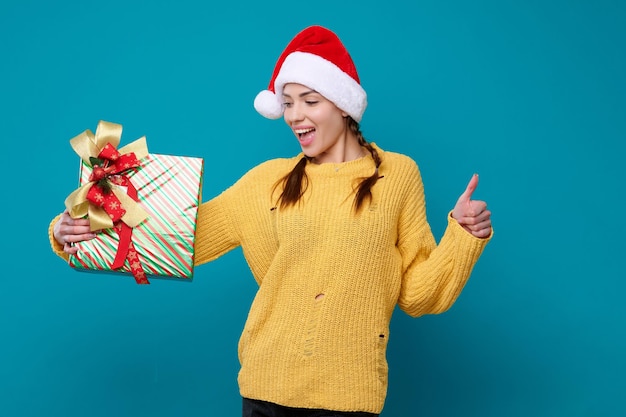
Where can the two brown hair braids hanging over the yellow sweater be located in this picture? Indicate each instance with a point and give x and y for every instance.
(295, 183)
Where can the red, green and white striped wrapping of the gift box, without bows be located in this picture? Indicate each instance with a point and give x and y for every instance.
(168, 188)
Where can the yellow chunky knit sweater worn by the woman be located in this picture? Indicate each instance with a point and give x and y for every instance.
(329, 279)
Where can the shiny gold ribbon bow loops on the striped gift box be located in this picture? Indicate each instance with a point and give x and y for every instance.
(87, 145)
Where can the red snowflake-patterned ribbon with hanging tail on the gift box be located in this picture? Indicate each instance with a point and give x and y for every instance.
(112, 170)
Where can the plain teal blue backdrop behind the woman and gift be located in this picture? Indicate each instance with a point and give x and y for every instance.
(530, 94)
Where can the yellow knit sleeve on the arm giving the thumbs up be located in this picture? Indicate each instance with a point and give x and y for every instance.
(433, 275)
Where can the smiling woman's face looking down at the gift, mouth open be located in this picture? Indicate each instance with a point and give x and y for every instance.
(319, 125)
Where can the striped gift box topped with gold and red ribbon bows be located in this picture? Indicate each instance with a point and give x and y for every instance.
(144, 207)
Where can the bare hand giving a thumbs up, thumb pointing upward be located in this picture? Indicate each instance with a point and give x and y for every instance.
(472, 215)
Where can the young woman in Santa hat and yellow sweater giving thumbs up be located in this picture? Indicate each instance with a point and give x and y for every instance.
(335, 237)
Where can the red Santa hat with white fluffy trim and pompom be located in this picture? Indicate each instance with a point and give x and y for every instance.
(317, 59)
